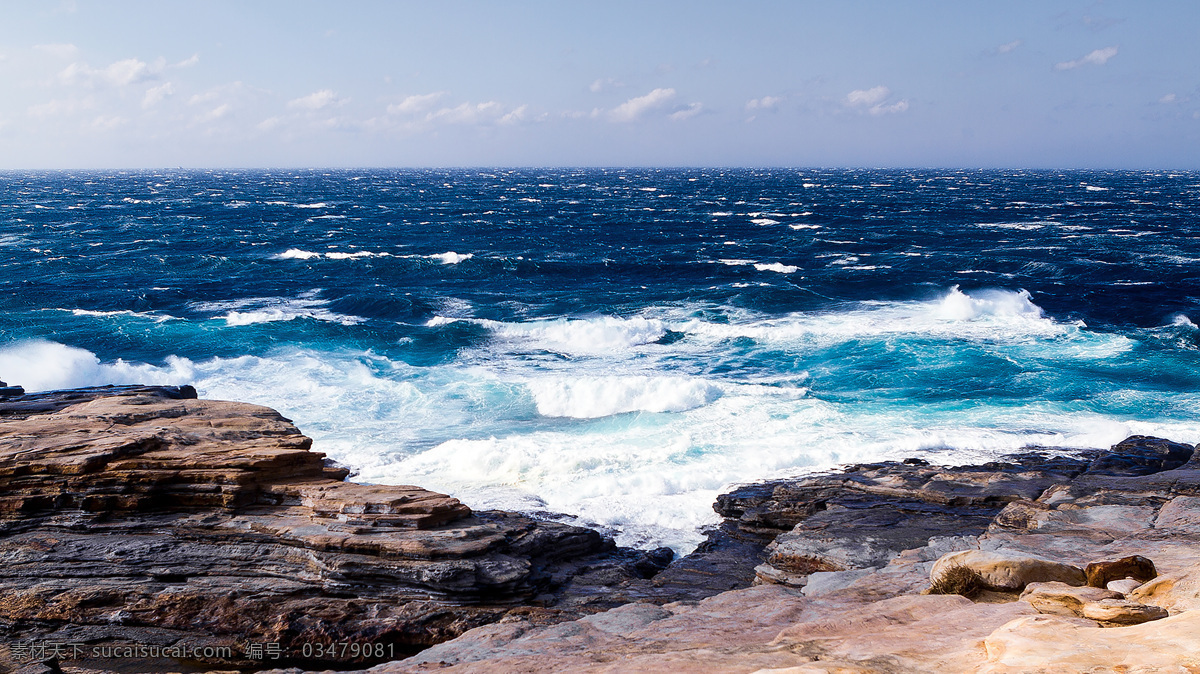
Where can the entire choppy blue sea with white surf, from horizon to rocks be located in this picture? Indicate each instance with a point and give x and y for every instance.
(622, 345)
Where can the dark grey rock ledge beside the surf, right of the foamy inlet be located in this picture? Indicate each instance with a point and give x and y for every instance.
(868, 515)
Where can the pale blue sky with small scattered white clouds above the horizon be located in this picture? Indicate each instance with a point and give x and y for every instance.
(974, 85)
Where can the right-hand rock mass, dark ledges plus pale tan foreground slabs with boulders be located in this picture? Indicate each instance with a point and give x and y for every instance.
(845, 585)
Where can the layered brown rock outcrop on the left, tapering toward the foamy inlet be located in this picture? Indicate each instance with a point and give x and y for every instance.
(130, 514)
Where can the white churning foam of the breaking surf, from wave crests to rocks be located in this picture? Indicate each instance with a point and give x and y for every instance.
(464, 428)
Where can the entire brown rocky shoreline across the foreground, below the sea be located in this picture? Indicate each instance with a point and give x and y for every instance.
(141, 516)
